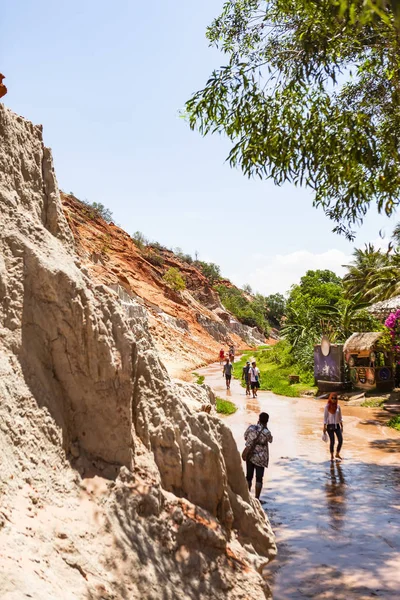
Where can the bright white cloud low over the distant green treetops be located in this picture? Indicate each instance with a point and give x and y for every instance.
(271, 274)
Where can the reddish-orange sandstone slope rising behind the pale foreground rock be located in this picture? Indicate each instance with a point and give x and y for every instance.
(188, 328)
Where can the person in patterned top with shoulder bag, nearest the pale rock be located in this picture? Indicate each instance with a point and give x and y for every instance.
(256, 453)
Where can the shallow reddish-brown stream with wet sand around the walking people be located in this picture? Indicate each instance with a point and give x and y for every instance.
(337, 525)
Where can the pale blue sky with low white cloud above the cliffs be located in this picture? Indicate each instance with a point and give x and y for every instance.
(107, 81)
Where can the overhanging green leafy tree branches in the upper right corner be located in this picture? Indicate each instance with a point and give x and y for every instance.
(310, 95)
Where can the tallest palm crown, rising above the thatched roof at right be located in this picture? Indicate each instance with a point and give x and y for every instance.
(364, 269)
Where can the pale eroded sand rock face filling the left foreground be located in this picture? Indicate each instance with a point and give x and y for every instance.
(115, 484)
